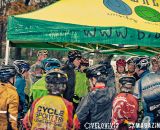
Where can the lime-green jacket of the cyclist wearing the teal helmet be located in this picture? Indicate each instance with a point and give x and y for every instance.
(39, 89)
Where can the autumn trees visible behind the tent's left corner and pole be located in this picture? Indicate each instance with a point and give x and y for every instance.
(13, 7)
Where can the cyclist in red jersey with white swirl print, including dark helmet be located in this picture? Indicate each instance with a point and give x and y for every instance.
(125, 105)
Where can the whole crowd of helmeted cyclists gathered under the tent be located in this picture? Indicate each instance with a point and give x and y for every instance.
(75, 94)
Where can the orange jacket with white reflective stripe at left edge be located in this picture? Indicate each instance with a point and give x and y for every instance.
(9, 102)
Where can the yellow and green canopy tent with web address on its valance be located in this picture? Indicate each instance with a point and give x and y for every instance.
(88, 24)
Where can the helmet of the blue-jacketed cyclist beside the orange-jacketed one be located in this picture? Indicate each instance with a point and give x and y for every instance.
(21, 66)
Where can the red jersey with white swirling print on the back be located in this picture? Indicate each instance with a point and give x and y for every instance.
(125, 108)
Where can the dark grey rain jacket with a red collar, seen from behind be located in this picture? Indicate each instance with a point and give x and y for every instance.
(95, 107)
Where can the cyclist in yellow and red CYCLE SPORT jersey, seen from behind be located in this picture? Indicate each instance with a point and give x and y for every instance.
(51, 112)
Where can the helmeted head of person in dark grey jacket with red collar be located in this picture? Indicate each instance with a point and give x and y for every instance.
(97, 74)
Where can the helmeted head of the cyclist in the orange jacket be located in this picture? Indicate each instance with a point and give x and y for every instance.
(7, 74)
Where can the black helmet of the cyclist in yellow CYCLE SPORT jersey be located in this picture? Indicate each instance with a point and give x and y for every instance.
(56, 77)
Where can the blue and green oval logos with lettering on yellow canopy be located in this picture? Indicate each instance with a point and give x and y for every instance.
(145, 12)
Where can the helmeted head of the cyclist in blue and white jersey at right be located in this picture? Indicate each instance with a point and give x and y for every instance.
(142, 64)
